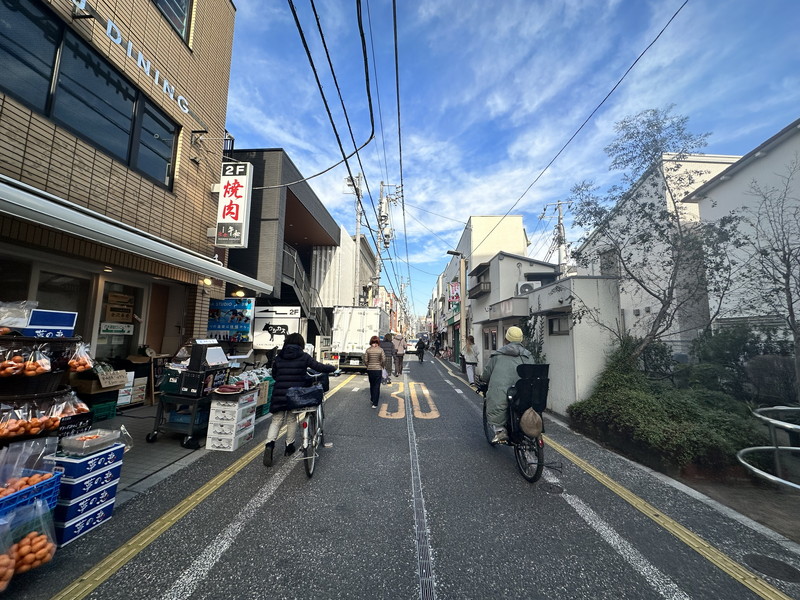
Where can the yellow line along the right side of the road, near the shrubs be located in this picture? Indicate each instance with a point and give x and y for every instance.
(695, 542)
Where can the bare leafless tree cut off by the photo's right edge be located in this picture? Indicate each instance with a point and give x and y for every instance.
(774, 253)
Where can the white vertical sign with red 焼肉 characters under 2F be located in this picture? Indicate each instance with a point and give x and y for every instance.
(233, 210)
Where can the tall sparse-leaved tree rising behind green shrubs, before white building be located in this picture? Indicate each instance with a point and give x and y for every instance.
(641, 231)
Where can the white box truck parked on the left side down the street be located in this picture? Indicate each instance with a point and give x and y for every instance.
(353, 326)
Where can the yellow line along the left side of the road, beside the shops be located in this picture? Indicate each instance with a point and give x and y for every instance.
(94, 577)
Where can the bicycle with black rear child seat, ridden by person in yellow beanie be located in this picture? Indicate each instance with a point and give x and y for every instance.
(524, 428)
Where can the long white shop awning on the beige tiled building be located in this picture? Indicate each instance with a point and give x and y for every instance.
(25, 202)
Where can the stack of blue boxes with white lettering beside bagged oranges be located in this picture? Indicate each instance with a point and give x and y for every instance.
(87, 492)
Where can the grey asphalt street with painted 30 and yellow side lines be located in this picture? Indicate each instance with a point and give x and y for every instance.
(411, 502)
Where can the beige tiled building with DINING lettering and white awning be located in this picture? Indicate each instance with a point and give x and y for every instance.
(112, 126)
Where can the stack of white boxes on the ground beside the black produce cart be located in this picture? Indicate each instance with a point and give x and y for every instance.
(231, 420)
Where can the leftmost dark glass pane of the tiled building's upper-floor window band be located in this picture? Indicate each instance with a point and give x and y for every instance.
(28, 42)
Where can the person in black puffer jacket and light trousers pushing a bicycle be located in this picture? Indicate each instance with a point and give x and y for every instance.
(288, 370)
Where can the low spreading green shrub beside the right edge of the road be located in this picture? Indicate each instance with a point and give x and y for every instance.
(664, 427)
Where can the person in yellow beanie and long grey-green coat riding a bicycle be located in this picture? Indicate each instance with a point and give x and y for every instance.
(501, 374)
